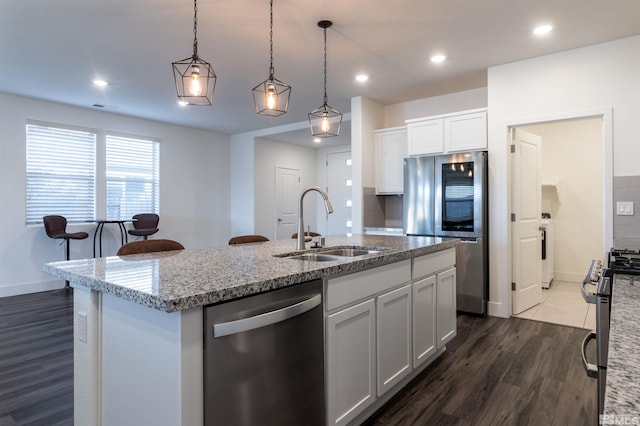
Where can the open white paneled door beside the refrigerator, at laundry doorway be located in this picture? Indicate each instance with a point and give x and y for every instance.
(526, 200)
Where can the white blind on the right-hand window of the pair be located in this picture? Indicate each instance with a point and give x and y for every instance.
(132, 177)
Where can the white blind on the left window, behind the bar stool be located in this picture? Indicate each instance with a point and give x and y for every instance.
(60, 173)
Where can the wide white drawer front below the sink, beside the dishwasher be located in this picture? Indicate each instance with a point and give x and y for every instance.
(350, 288)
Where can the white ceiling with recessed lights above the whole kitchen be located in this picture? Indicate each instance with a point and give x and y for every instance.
(53, 49)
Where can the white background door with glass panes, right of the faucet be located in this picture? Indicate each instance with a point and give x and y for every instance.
(340, 192)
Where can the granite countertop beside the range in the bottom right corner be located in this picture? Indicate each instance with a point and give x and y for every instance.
(622, 396)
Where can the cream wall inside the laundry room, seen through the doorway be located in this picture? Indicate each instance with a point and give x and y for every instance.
(569, 165)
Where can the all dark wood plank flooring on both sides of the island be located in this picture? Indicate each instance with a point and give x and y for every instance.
(495, 372)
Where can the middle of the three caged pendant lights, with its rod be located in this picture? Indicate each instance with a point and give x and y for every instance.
(271, 97)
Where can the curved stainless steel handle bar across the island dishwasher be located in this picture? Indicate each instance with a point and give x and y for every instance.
(268, 318)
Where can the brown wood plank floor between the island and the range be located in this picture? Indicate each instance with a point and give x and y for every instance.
(501, 372)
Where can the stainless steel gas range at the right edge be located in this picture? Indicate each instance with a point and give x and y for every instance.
(619, 261)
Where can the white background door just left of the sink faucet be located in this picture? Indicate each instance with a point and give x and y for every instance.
(287, 194)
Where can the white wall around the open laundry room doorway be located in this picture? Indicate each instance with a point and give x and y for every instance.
(568, 84)
